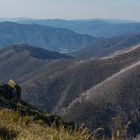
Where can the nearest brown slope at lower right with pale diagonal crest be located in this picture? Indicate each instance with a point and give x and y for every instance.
(117, 96)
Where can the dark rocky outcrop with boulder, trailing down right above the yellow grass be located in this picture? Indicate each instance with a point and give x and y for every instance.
(10, 98)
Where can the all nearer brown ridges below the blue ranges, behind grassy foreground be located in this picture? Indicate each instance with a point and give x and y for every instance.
(92, 92)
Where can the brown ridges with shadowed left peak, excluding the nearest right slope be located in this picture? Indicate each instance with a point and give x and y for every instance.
(52, 85)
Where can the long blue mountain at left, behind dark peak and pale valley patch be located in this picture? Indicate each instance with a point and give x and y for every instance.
(50, 38)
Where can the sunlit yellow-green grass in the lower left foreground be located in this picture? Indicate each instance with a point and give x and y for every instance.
(15, 127)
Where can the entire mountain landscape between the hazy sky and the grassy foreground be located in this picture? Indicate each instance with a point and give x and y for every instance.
(96, 80)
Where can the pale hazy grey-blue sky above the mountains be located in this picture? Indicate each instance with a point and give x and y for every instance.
(71, 9)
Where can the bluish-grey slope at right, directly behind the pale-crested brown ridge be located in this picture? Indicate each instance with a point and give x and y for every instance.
(107, 46)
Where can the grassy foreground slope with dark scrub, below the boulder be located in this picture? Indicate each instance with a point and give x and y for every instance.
(23, 122)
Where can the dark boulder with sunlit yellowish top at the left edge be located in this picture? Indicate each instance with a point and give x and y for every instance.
(10, 90)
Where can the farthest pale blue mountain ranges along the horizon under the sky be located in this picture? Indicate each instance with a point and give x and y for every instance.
(94, 27)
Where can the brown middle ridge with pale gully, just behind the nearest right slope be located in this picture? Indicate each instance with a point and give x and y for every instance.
(60, 88)
